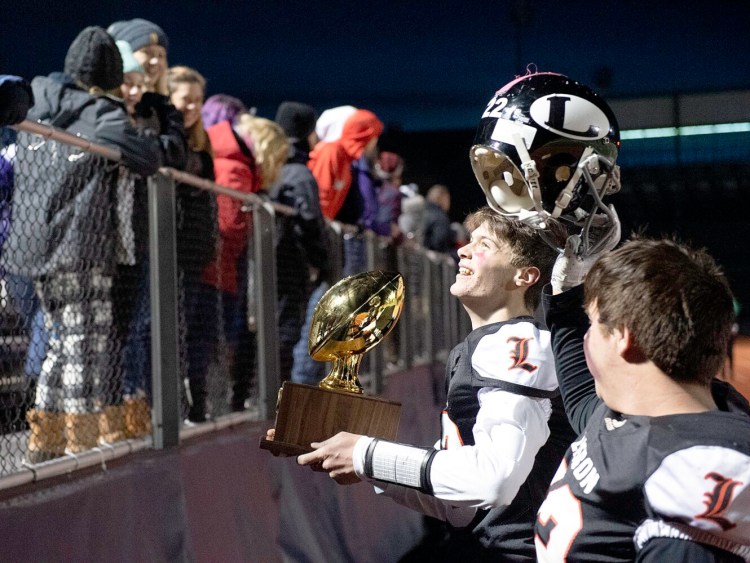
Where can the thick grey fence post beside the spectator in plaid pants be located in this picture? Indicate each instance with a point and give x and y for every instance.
(165, 353)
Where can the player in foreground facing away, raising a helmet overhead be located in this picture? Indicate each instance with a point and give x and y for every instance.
(661, 469)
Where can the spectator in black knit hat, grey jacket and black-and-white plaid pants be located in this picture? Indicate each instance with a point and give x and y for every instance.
(64, 237)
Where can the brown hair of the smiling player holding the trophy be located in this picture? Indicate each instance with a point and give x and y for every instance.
(526, 244)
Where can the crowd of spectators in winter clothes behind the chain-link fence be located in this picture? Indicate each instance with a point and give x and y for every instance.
(80, 275)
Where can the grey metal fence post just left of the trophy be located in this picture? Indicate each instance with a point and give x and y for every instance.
(264, 272)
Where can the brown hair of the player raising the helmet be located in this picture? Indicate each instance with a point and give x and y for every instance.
(675, 301)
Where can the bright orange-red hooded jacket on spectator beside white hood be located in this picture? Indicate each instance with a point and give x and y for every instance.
(331, 162)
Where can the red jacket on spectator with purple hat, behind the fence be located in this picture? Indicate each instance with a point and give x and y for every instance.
(234, 169)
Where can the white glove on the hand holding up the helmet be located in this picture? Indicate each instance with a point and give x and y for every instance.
(573, 264)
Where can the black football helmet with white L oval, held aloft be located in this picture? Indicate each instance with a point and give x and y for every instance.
(546, 147)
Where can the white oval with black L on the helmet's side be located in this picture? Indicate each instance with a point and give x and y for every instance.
(570, 116)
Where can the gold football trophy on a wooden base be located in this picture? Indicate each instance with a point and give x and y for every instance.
(351, 318)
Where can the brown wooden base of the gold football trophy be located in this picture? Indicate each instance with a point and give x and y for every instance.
(308, 414)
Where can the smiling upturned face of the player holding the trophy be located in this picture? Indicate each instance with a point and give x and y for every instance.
(485, 276)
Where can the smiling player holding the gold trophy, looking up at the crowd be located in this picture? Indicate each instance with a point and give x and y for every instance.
(503, 431)
